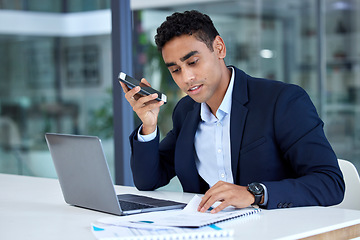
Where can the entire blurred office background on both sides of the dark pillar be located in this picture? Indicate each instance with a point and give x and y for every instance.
(56, 66)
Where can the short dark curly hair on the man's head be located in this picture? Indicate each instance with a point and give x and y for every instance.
(189, 22)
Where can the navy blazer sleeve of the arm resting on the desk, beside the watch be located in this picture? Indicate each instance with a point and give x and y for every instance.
(302, 141)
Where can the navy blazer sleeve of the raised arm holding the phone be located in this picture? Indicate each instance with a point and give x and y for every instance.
(152, 163)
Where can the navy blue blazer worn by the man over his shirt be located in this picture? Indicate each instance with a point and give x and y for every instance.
(277, 139)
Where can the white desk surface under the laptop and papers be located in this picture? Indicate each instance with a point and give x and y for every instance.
(33, 208)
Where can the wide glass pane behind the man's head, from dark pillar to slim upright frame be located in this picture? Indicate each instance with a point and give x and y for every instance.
(267, 39)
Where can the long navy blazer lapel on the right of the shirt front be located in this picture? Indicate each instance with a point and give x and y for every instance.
(238, 118)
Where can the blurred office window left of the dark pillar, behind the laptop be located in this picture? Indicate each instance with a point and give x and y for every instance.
(52, 79)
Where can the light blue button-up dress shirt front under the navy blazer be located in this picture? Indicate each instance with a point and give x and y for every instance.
(212, 141)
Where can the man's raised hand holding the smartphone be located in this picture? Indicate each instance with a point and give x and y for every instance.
(146, 107)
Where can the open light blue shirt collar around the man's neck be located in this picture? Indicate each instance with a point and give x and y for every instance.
(225, 106)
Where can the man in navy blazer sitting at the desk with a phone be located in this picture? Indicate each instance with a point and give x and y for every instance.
(237, 139)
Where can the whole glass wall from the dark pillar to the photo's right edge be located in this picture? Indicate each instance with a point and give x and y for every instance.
(310, 43)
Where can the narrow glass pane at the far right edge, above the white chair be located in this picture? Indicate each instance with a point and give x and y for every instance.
(343, 77)
